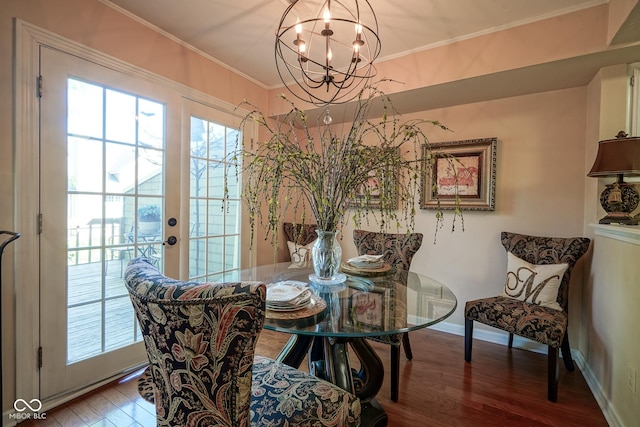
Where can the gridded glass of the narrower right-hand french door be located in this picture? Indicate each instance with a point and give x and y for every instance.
(214, 221)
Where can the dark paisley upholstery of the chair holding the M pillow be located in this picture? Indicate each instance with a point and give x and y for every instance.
(541, 324)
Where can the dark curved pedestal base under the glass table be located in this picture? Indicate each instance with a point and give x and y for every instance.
(328, 359)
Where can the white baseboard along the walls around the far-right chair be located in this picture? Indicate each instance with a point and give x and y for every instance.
(502, 338)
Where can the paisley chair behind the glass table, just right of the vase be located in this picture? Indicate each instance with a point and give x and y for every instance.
(398, 250)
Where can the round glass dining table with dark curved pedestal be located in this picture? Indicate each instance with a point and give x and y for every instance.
(341, 316)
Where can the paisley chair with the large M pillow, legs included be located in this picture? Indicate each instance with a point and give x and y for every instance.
(524, 310)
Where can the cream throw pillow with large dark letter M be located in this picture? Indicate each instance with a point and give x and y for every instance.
(537, 284)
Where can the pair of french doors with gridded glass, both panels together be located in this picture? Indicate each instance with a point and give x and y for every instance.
(127, 161)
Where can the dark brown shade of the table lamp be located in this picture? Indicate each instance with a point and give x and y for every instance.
(619, 156)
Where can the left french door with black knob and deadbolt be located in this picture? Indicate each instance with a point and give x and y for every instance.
(103, 200)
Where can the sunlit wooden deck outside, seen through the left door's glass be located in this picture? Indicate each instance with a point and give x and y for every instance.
(99, 312)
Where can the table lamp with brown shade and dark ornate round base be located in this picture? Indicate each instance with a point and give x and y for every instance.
(618, 157)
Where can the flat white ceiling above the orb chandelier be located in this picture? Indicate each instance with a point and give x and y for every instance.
(241, 33)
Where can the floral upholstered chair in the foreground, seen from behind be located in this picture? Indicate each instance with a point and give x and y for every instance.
(200, 340)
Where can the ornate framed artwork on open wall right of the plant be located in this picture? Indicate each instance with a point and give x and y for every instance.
(467, 167)
